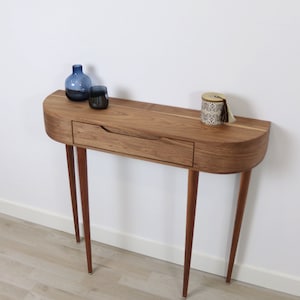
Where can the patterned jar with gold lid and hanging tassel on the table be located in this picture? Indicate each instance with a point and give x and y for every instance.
(214, 110)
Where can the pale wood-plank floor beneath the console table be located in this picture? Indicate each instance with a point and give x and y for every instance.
(42, 263)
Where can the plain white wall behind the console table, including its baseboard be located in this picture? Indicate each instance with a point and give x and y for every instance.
(169, 52)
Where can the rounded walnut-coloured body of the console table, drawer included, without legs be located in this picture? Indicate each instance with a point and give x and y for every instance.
(226, 148)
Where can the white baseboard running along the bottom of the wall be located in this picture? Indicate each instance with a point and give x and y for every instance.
(245, 273)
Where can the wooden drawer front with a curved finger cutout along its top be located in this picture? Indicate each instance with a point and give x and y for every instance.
(133, 143)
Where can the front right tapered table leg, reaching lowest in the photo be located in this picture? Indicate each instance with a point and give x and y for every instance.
(190, 221)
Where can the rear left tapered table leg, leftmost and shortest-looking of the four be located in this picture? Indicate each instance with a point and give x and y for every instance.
(71, 169)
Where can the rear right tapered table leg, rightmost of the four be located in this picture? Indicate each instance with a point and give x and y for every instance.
(244, 184)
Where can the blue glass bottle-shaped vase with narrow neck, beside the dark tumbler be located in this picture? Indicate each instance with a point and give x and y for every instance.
(78, 85)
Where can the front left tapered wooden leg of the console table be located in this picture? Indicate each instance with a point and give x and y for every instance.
(83, 179)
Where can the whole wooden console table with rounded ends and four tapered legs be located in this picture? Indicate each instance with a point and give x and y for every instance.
(162, 134)
